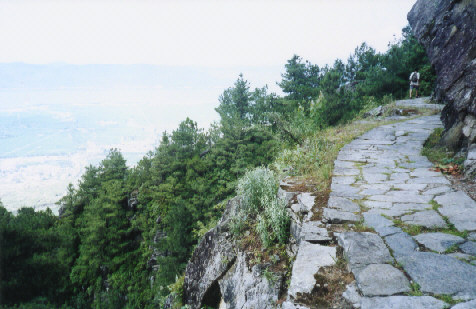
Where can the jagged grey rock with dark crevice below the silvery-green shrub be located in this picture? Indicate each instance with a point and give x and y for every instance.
(218, 274)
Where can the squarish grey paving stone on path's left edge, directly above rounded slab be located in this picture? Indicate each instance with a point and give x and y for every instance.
(362, 249)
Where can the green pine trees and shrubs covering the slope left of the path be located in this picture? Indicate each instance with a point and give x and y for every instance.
(97, 253)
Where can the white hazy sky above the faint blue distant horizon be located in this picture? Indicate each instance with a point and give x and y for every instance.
(203, 33)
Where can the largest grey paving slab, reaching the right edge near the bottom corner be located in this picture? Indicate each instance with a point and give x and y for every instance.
(440, 274)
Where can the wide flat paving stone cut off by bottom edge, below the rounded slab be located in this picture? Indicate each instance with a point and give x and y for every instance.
(402, 302)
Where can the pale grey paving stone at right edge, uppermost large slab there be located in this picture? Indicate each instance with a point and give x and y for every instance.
(459, 208)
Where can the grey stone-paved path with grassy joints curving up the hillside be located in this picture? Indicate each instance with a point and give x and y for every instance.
(381, 179)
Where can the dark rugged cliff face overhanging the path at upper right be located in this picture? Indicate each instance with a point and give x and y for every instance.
(447, 30)
